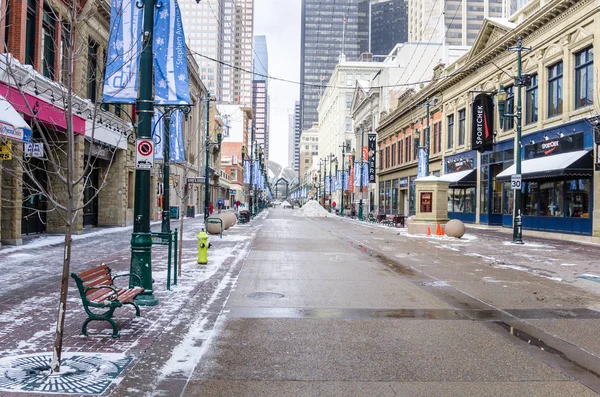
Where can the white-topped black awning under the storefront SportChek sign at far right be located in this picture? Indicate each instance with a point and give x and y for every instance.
(575, 164)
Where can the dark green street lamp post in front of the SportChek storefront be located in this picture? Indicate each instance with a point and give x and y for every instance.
(501, 98)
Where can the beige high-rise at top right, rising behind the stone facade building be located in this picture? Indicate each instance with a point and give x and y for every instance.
(454, 22)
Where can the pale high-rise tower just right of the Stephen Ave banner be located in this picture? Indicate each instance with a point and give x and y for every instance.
(222, 30)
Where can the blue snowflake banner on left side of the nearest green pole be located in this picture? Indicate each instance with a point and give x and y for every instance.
(121, 73)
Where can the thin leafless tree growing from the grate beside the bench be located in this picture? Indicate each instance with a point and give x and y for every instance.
(65, 197)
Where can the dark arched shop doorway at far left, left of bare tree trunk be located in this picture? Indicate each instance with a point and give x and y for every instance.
(33, 217)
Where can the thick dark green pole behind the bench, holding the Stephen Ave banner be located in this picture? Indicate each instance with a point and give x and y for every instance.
(141, 238)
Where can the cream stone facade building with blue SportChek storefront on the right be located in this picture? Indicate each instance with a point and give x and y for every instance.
(560, 117)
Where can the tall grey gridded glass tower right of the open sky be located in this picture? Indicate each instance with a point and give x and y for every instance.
(329, 29)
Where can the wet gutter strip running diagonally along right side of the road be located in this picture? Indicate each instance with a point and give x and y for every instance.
(572, 360)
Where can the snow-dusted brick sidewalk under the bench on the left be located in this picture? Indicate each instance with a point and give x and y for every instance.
(28, 313)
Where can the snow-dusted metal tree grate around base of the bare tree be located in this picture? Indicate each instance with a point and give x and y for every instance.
(81, 373)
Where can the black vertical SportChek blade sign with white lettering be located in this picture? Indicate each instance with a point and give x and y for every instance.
(482, 137)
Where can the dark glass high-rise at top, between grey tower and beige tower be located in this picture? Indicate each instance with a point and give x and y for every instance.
(387, 24)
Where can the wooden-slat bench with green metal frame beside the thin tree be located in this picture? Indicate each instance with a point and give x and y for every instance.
(98, 290)
